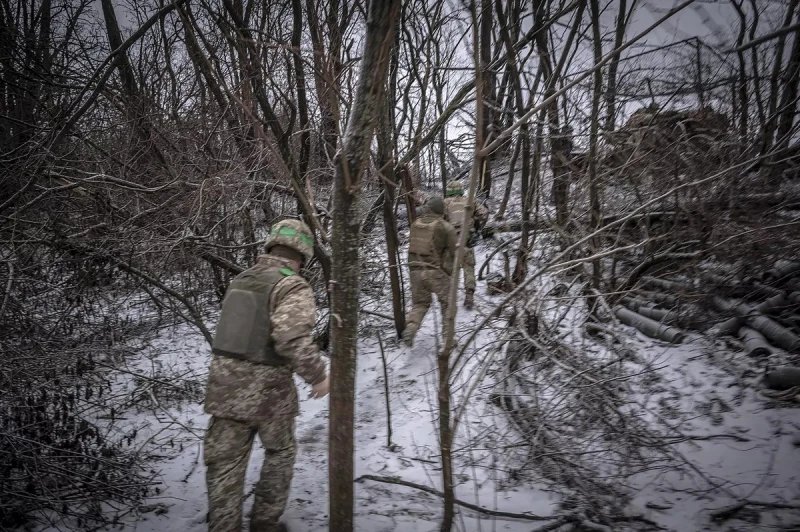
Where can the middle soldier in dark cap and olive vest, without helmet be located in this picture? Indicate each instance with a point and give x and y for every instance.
(430, 264)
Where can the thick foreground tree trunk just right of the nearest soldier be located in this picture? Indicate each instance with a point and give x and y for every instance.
(350, 163)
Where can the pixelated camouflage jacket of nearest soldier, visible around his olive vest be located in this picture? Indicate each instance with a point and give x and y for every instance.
(245, 391)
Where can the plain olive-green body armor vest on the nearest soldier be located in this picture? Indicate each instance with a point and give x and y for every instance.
(244, 330)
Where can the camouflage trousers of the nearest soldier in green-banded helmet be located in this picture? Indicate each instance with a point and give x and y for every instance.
(226, 454)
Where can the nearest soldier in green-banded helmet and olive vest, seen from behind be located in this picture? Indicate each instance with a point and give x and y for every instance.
(264, 334)
